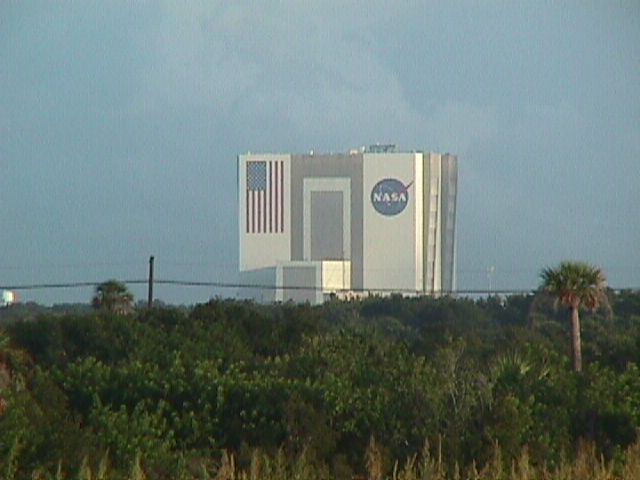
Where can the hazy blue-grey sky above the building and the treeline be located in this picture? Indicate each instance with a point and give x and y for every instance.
(121, 122)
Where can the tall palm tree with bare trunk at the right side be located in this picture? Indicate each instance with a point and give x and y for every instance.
(575, 284)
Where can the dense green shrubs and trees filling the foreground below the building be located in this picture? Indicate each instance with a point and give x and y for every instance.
(443, 386)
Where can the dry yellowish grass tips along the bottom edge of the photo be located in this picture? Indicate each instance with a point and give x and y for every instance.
(427, 465)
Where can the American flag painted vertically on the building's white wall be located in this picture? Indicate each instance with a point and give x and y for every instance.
(265, 196)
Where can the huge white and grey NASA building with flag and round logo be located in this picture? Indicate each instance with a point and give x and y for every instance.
(370, 221)
